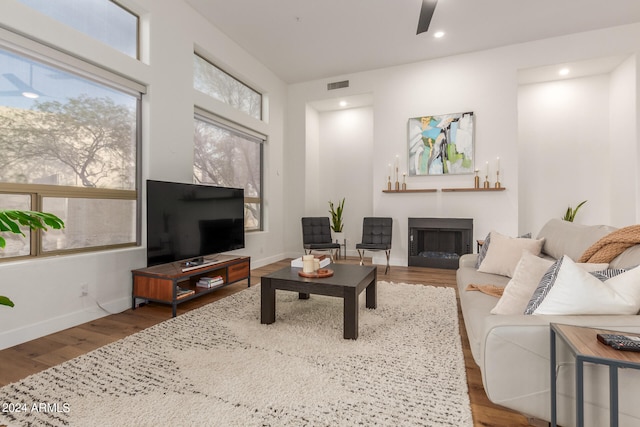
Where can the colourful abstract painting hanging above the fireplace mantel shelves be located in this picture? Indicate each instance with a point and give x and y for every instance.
(441, 145)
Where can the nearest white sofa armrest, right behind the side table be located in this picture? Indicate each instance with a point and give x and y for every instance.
(514, 342)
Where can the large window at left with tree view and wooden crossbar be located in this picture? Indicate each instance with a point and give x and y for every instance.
(69, 144)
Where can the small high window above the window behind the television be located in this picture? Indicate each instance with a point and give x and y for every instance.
(209, 79)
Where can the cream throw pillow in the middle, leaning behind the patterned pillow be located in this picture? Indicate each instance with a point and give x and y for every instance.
(518, 291)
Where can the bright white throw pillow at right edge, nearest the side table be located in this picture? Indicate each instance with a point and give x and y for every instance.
(577, 292)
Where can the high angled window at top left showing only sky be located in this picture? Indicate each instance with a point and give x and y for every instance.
(104, 20)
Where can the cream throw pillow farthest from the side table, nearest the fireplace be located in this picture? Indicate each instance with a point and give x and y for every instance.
(505, 252)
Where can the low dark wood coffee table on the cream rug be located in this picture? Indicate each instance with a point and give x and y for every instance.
(347, 282)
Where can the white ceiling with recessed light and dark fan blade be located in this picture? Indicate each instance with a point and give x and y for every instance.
(302, 40)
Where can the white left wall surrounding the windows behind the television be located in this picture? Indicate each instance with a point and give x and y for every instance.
(47, 291)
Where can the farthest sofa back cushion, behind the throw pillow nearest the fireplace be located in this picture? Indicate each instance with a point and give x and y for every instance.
(567, 238)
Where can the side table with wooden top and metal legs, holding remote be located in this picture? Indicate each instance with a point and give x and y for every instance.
(585, 346)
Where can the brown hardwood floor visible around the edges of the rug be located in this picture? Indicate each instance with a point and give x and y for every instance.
(25, 359)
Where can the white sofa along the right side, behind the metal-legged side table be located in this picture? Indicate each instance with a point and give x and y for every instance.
(512, 351)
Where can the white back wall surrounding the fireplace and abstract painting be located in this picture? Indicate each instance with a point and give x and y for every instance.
(485, 83)
